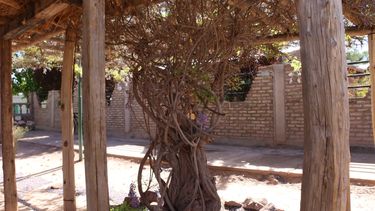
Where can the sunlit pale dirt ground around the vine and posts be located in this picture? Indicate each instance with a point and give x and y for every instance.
(39, 183)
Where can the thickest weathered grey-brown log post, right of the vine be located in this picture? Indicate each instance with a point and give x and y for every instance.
(325, 182)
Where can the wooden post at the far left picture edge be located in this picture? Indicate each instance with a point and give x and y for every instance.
(9, 168)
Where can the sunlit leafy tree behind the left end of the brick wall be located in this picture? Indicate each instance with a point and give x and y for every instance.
(39, 70)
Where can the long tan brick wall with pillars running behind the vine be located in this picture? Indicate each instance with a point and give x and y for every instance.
(245, 123)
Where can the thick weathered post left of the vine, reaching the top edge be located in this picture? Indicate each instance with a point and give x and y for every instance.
(94, 105)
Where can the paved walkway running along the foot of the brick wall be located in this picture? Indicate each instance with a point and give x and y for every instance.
(284, 162)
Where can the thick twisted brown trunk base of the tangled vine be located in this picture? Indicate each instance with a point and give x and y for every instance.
(192, 187)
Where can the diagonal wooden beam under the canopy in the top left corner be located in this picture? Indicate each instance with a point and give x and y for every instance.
(34, 16)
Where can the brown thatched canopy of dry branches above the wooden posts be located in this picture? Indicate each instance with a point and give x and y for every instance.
(28, 22)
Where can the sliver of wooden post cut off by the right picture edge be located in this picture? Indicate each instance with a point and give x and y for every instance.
(371, 45)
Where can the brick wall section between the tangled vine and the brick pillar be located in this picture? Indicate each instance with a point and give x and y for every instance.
(250, 122)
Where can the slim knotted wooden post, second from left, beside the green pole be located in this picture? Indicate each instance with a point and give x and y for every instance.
(67, 127)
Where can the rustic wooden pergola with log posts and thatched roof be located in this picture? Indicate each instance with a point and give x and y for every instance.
(325, 183)
